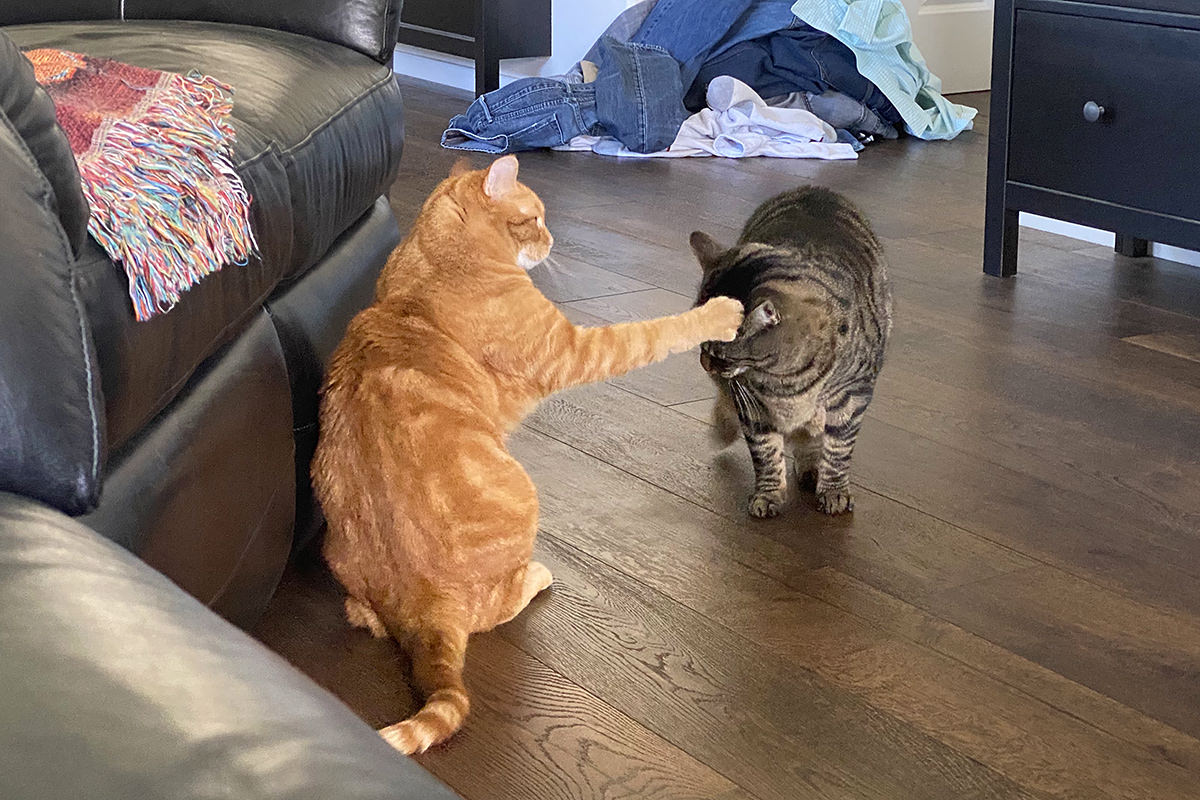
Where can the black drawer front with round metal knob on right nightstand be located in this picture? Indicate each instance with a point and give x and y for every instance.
(1107, 110)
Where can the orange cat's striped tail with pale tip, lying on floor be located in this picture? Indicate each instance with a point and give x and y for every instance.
(437, 670)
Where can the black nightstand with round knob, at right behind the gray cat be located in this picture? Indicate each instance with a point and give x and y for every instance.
(1095, 121)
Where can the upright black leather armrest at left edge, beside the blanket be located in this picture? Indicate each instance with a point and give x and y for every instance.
(52, 437)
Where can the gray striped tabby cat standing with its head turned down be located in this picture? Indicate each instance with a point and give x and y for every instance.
(802, 370)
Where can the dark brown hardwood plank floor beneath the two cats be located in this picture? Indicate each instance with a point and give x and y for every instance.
(1013, 611)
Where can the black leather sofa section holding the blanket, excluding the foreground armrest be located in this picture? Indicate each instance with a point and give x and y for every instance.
(176, 437)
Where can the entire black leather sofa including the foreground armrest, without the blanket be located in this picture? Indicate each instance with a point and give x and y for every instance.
(146, 462)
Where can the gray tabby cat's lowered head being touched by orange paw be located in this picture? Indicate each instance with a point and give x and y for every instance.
(787, 332)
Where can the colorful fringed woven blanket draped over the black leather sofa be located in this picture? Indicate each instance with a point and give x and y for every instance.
(155, 154)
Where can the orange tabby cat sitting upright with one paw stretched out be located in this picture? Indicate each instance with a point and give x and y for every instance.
(431, 521)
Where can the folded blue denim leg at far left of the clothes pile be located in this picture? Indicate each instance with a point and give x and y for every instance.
(526, 115)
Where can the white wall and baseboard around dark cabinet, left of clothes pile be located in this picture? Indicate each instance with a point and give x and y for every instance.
(577, 26)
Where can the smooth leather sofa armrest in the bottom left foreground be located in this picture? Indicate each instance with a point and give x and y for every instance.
(119, 685)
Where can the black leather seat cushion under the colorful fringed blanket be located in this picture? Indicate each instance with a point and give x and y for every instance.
(320, 135)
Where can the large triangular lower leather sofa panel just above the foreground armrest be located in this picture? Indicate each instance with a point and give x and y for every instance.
(206, 494)
